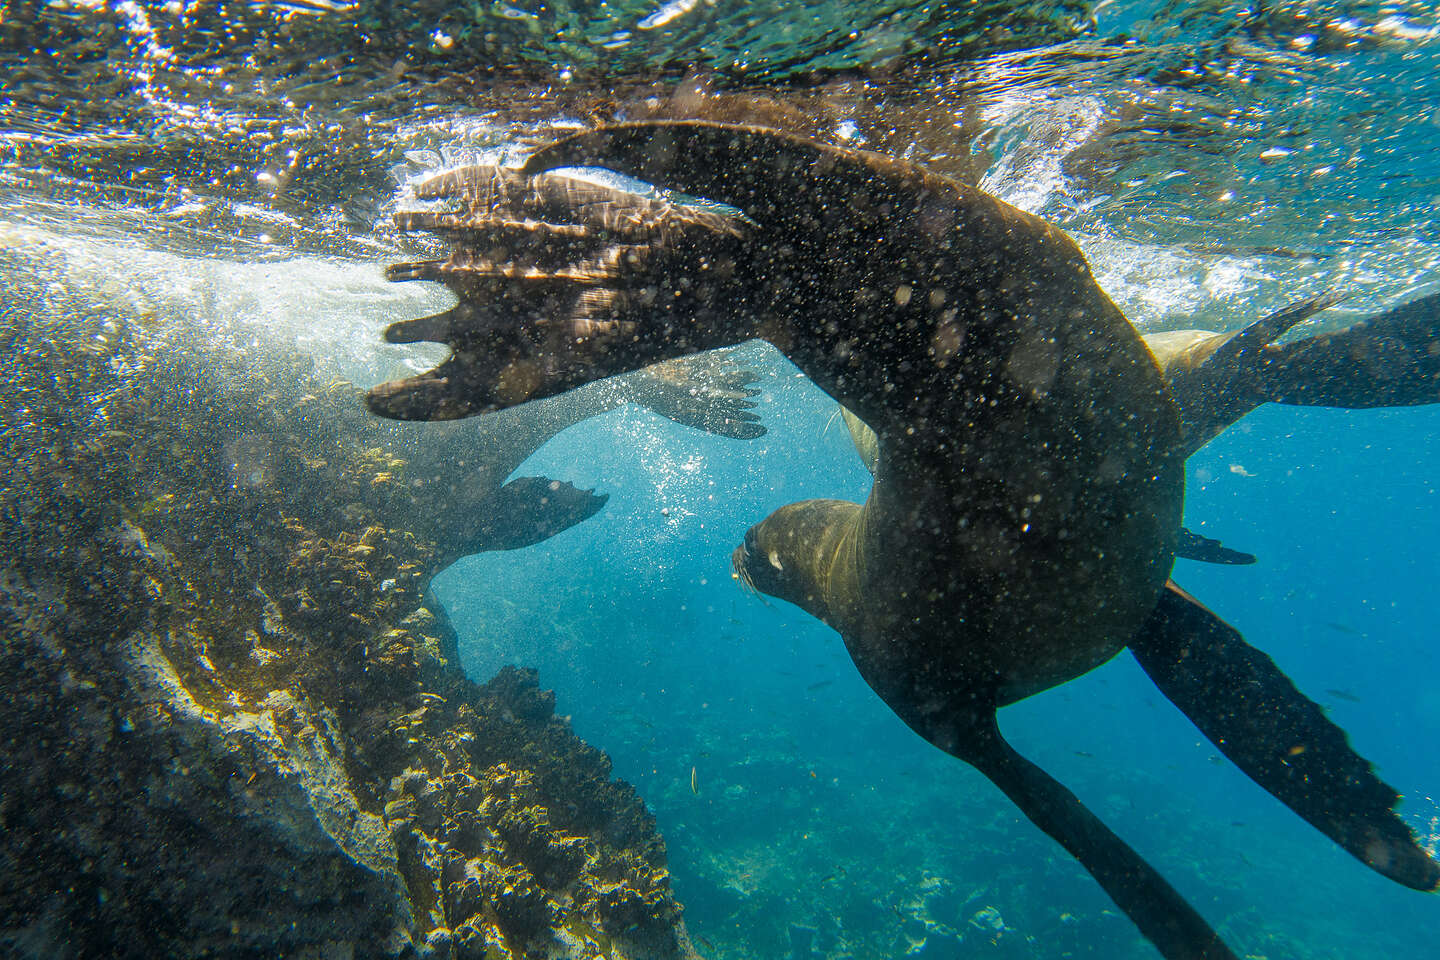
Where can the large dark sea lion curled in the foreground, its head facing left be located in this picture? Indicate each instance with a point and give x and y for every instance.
(1027, 496)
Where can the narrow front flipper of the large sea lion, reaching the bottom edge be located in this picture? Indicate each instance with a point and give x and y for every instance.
(1177, 930)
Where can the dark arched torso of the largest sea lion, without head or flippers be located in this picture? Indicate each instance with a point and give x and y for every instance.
(1029, 438)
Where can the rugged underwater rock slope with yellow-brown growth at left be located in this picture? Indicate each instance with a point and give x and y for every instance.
(234, 723)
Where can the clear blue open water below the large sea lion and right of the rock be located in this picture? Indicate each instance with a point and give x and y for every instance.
(819, 810)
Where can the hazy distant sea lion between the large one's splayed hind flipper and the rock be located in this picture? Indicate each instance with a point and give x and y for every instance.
(708, 392)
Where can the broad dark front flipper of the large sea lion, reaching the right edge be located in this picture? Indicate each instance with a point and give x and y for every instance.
(1249, 709)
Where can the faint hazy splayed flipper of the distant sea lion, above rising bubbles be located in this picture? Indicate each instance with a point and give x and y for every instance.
(708, 392)
